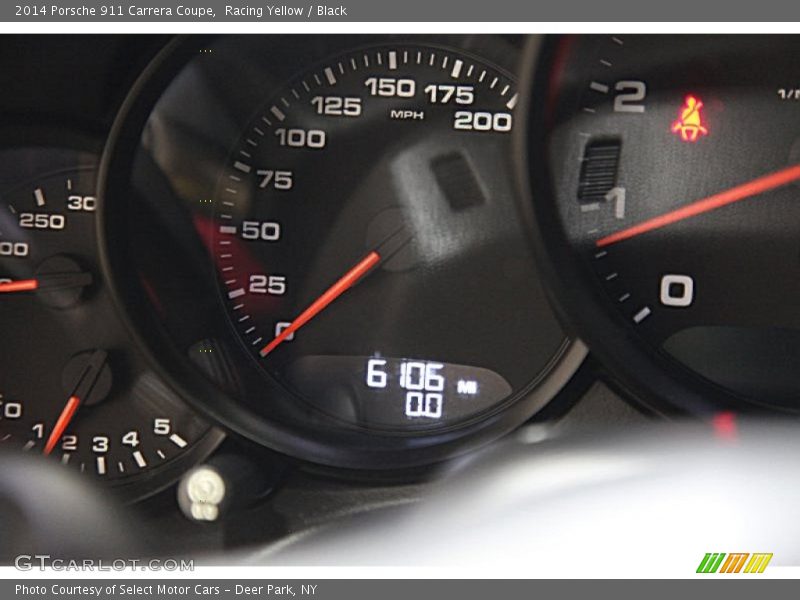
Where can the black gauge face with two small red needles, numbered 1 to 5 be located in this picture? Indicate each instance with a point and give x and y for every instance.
(70, 387)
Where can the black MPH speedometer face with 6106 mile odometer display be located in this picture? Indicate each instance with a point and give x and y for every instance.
(366, 243)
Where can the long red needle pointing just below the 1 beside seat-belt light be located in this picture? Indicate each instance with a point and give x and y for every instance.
(698, 207)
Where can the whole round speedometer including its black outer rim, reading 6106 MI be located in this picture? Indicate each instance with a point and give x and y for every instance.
(355, 210)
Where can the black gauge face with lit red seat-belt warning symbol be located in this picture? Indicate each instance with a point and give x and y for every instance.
(675, 164)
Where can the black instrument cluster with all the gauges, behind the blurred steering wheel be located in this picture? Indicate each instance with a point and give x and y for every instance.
(264, 282)
